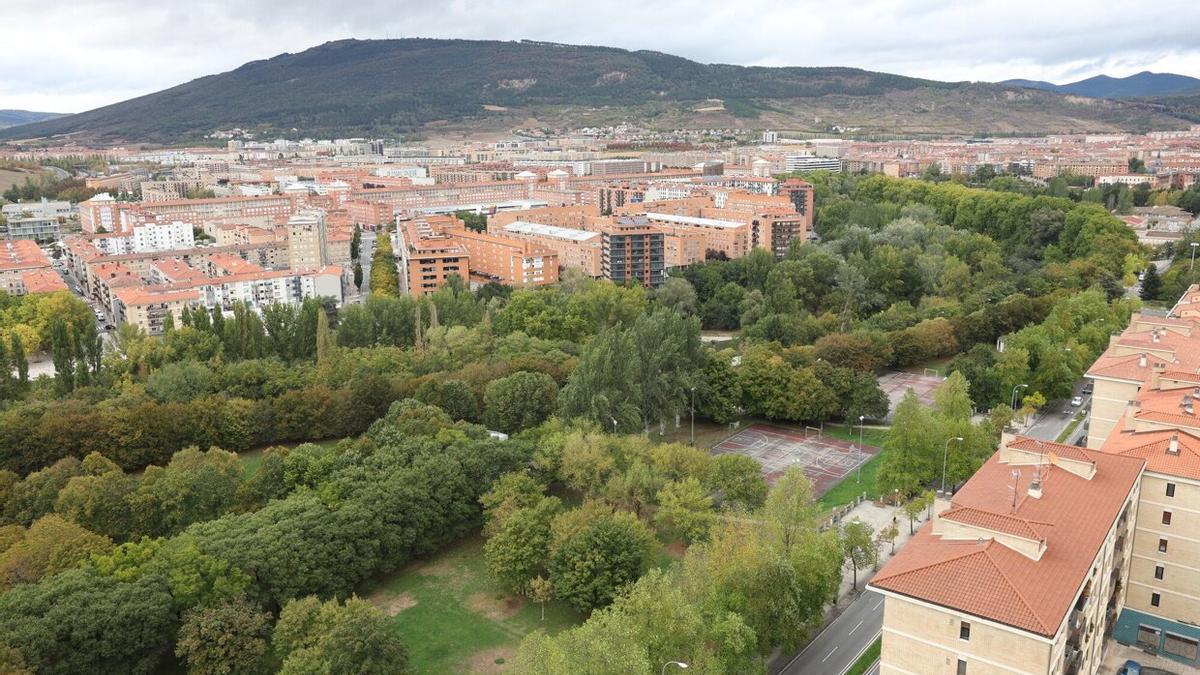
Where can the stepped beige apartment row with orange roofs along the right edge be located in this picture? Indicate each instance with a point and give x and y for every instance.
(1145, 393)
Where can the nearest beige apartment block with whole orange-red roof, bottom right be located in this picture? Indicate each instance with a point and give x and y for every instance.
(1024, 574)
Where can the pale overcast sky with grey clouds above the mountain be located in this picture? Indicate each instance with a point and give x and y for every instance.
(80, 55)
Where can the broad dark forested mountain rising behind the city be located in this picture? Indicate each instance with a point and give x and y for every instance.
(383, 88)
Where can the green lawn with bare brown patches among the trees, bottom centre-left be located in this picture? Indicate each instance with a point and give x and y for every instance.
(454, 619)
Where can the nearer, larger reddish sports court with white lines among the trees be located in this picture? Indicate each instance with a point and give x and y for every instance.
(825, 461)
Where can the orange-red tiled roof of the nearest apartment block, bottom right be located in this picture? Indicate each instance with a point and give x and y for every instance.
(987, 578)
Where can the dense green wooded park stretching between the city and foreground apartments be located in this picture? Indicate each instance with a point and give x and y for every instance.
(231, 495)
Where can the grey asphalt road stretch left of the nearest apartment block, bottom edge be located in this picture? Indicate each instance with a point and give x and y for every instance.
(838, 647)
